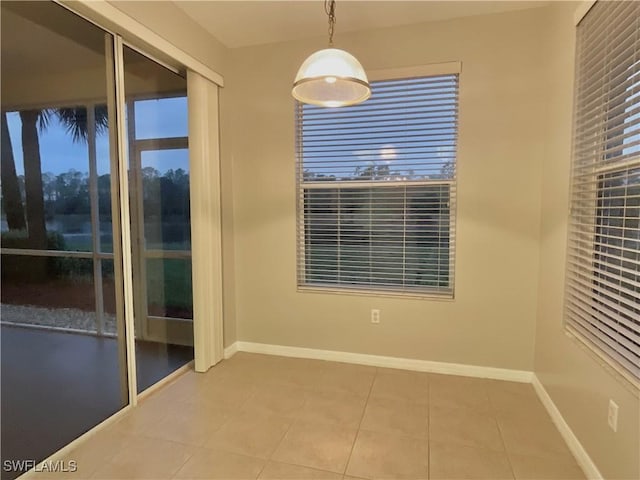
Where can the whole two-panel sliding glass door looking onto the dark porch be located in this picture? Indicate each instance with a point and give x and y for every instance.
(65, 362)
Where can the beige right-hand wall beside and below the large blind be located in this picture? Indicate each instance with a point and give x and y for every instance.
(578, 384)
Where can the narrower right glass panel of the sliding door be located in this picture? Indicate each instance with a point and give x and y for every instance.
(160, 216)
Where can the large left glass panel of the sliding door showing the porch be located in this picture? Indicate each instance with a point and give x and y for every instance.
(61, 373)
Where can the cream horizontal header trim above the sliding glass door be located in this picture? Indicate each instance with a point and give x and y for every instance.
(114, 20)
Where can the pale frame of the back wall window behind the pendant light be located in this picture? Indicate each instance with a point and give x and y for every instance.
(448, 68)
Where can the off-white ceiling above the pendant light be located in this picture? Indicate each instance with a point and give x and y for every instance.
(239, 23)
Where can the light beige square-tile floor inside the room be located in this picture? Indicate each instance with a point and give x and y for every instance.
(258, 416)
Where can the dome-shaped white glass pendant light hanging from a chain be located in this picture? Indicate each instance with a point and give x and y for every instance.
(331, 77)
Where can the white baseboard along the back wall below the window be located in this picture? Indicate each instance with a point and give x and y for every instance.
(382, 361)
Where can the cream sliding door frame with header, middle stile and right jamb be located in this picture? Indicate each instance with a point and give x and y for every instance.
(203, 85)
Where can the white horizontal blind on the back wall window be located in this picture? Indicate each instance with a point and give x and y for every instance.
(376, 189)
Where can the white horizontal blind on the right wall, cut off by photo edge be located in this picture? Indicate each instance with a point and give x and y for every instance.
(603, 277)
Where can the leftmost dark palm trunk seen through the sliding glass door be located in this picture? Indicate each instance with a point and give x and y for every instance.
(11, 198)
